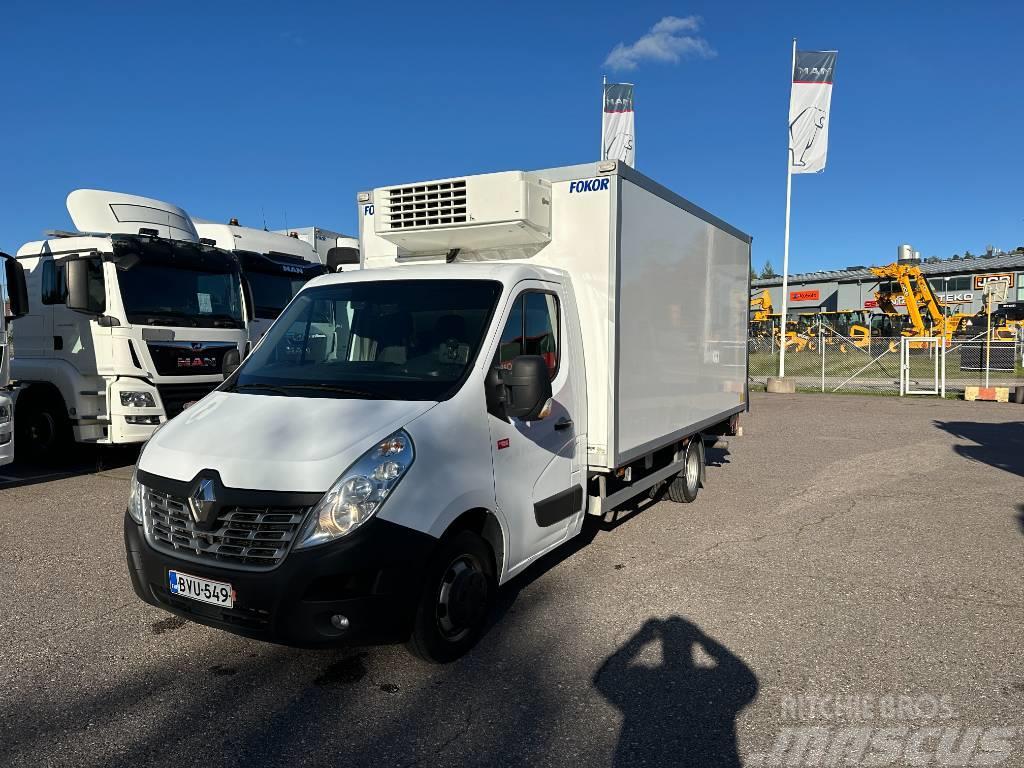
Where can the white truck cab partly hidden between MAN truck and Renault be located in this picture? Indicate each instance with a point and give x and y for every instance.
(274, 268)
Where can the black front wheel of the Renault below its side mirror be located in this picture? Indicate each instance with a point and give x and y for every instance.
(459, 592)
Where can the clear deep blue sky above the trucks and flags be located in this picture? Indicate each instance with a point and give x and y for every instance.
(286, 111)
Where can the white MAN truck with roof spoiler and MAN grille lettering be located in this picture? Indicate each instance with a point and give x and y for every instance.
(132, 320)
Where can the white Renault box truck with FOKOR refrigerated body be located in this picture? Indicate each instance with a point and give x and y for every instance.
(523, 350)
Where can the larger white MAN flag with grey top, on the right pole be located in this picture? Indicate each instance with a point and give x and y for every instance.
(810, 101)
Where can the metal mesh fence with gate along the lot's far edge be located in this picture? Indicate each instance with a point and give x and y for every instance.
(830, 362)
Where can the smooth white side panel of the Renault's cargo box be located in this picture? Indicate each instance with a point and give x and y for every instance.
(680, 342)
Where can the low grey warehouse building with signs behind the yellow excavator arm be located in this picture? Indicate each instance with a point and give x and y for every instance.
(958, 282)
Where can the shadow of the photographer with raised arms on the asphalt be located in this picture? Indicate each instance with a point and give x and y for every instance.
(684, 711)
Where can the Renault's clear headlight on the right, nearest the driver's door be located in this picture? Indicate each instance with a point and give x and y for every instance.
(358, 495)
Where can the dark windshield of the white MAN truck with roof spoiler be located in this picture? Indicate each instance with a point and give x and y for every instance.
(165, 283)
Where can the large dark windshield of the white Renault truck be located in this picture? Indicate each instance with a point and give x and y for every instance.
(408, 340)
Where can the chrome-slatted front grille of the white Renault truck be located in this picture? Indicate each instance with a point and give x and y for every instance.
(246, 537)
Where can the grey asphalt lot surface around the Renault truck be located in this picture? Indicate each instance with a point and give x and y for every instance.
(856, 565)
